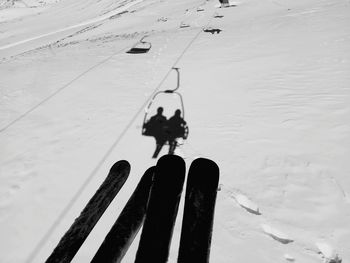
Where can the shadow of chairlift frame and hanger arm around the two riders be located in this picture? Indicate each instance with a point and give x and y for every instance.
(146, 118)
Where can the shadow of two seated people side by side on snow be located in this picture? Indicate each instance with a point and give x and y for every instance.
(164, 130)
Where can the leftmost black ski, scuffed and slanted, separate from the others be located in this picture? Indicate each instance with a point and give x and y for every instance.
(82, 226)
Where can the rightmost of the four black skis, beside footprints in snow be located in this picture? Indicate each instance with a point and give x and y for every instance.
(197, 224)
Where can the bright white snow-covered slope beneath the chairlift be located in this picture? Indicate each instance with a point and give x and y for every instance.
(268, 99)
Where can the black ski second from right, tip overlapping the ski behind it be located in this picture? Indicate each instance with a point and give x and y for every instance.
(162, 210)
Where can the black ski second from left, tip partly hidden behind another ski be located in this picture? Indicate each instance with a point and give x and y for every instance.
(129, 222)
